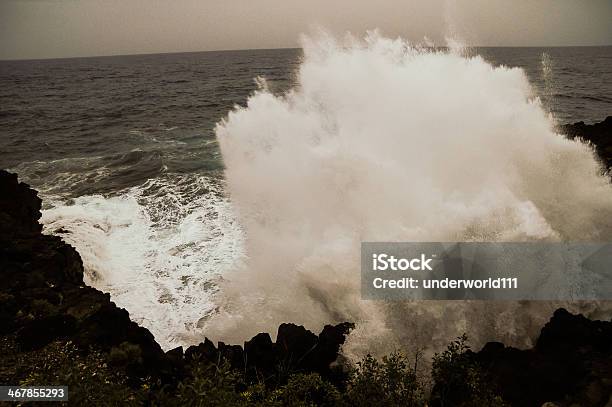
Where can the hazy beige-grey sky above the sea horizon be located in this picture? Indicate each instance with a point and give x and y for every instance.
(65, 28)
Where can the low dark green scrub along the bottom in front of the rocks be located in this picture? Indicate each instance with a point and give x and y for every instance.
(96, 378)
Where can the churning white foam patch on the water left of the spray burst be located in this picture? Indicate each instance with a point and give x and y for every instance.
(158, 249)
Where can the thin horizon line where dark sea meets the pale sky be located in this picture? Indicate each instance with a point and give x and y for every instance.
(270, 49)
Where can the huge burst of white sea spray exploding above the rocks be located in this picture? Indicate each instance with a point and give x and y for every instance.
(384, 141)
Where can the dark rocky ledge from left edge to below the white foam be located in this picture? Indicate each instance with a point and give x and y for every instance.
(43, 298)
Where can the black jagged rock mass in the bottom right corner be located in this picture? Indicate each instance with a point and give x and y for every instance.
(571, 364)
